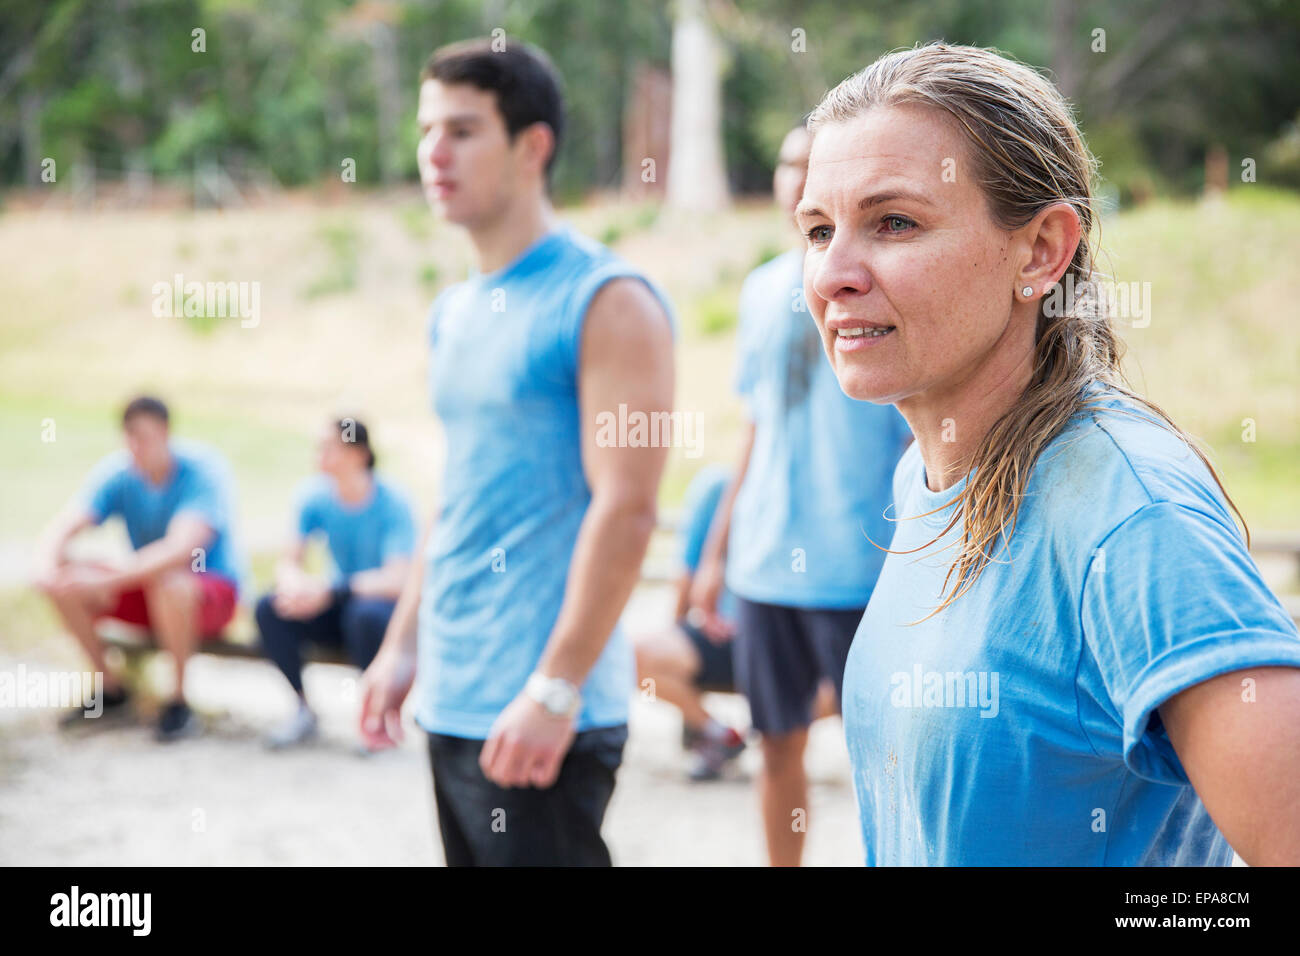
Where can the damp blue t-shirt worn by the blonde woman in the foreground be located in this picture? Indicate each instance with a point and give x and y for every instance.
(1020, 726)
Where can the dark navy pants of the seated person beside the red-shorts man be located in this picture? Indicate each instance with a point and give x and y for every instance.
(356, 624)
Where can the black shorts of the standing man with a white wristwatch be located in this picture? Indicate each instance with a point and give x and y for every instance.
(486, 825)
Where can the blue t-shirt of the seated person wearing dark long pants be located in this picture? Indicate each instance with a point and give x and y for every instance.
(359, 538)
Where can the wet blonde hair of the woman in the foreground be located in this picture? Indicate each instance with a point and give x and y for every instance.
(1028, 154)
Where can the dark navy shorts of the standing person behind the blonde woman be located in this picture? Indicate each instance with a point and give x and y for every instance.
(783, 655)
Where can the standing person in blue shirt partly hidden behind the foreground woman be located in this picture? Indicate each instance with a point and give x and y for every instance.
(801, 530)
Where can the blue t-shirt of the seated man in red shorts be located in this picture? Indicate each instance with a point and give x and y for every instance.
(200, 485)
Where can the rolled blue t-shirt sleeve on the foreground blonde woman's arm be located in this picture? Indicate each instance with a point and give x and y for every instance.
(1171, 600)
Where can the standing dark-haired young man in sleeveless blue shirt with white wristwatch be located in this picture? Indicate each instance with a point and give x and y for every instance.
(525, 676)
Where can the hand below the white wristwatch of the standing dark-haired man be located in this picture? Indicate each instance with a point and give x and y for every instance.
(527, 746)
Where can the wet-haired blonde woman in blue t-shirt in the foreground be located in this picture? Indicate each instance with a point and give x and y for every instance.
(1071, 657)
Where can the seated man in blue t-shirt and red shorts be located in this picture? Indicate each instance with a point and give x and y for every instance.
(181, 582)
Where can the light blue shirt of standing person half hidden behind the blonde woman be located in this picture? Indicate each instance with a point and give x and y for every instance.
(808, 526)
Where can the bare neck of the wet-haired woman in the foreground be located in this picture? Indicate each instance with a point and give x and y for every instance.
(952, 419)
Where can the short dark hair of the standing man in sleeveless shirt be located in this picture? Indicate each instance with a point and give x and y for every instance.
(527, 84)
